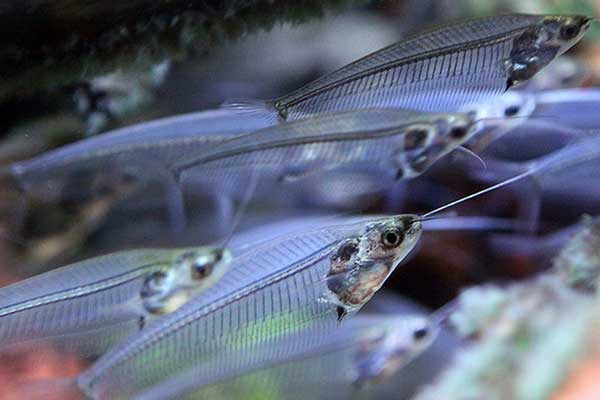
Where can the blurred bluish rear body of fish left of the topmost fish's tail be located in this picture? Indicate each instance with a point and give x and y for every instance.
(127, 158)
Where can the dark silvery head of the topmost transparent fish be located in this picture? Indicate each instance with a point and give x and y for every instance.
(538, 46)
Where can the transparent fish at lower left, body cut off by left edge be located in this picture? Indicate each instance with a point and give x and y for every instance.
(92, 304)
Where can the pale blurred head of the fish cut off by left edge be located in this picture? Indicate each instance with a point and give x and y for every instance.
(192, 271)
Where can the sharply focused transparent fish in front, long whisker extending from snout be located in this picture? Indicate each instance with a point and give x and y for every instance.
(274, 288)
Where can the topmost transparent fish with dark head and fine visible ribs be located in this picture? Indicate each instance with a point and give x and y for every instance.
(437, 70)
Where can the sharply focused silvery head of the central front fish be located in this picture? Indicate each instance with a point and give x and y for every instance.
(359, 266)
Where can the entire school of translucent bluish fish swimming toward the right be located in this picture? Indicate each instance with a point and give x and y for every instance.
(270, 311)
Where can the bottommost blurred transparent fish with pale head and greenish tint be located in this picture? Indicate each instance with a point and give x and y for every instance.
(312, 363)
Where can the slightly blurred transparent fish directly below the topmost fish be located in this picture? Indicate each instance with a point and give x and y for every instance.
(387, 143)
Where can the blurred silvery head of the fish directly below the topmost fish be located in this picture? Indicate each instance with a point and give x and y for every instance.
(426, 142)
